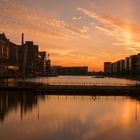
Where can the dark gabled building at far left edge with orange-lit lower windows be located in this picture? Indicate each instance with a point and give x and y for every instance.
(8, 56)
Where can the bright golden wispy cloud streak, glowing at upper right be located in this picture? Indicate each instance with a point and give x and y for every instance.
(125, 32)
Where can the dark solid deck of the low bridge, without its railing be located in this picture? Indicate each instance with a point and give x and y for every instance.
(76, 89)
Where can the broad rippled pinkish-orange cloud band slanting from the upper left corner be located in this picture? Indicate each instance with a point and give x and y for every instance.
(19, 15)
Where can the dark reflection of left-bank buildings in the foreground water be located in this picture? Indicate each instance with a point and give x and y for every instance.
(26, 103)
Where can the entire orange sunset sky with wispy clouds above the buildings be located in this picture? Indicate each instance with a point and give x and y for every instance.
(75, 32)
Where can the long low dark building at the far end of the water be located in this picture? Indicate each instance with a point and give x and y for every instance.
(58, 70)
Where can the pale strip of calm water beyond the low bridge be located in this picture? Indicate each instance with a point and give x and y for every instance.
(83, 80)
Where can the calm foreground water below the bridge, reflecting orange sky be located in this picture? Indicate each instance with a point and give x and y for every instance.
(30, 117)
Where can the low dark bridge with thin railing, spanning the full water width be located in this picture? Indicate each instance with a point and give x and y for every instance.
(73, 88)
